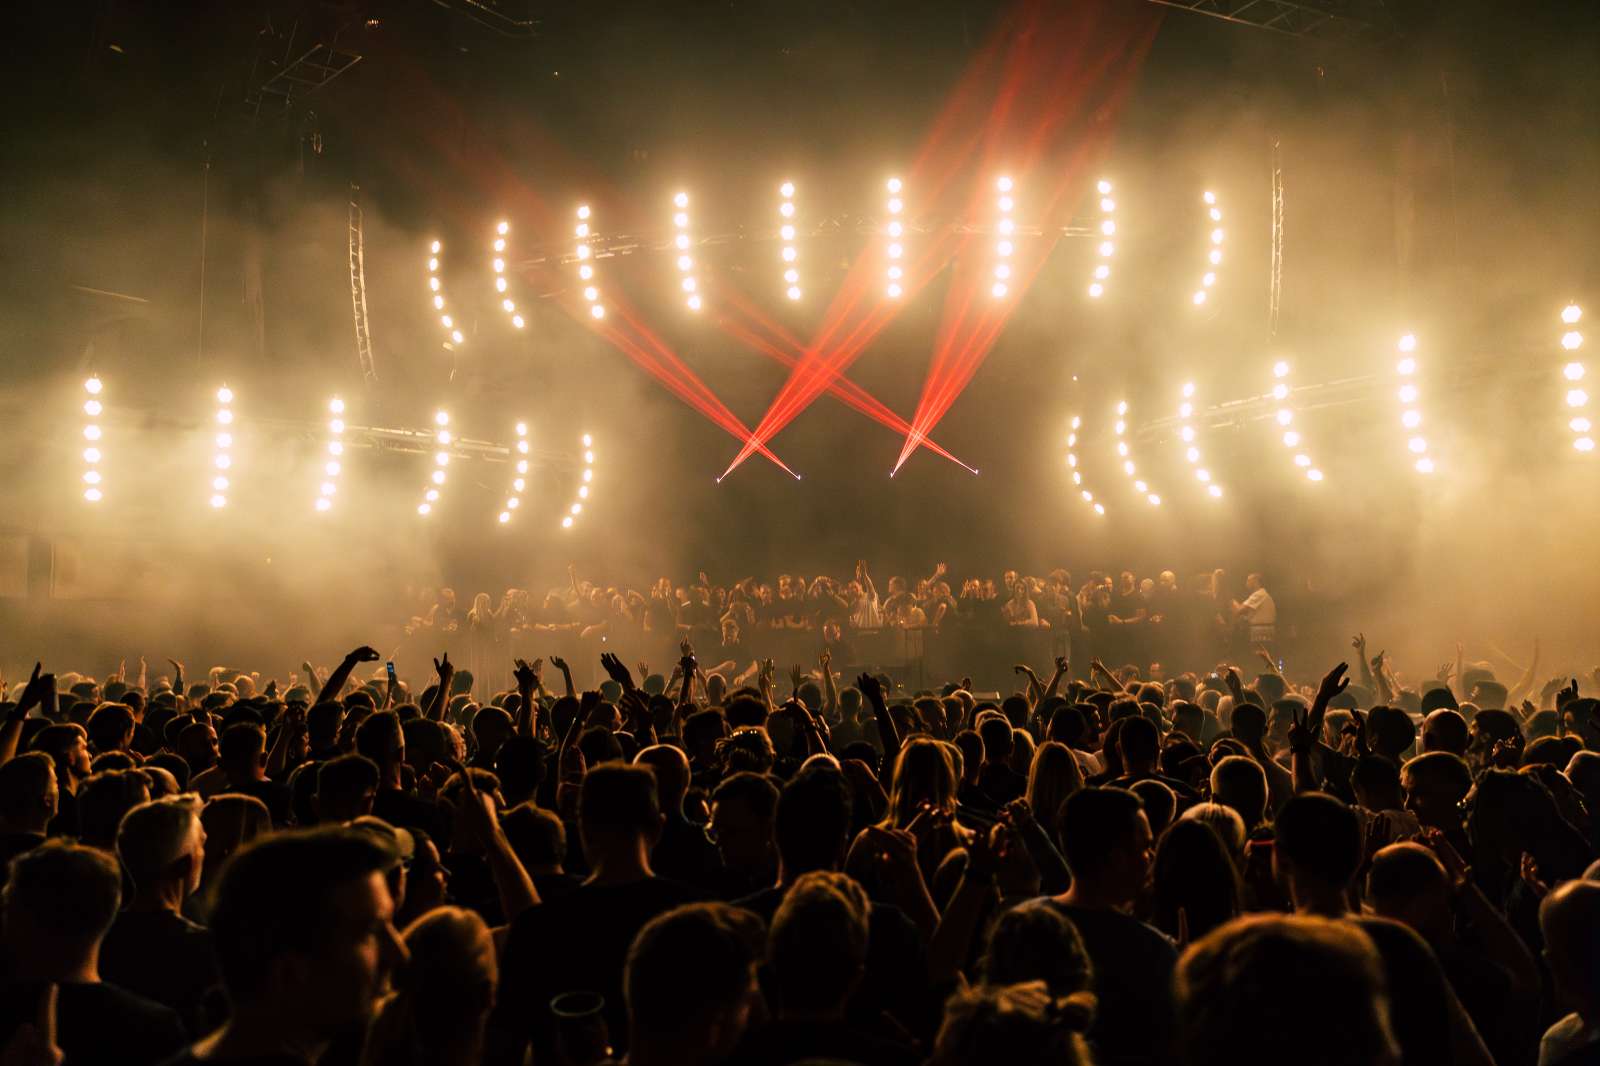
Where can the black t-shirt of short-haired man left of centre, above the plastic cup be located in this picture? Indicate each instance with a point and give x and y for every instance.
(577, 944)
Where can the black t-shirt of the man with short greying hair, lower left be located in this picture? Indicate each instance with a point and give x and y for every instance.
(166, 958)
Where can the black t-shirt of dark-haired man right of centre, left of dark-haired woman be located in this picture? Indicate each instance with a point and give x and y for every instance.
(1134, 980)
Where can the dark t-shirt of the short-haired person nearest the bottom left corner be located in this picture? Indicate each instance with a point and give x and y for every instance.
(98, 1024)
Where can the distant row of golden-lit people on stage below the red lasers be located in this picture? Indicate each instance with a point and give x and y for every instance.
(1119, 617)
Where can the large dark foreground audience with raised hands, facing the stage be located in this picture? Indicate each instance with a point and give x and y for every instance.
(1220, 867)
